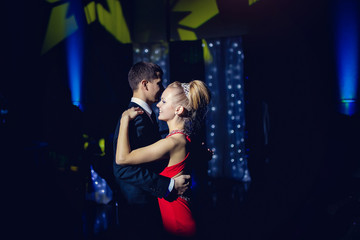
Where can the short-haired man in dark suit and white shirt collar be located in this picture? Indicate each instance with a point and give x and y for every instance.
(140, 185)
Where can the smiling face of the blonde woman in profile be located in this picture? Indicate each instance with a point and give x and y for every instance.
(166, 106)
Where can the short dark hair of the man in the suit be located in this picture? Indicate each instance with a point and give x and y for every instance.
(143, 70)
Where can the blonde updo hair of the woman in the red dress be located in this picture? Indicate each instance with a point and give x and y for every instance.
(194, 97)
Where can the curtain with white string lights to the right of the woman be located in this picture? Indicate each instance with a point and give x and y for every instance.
(226, 116)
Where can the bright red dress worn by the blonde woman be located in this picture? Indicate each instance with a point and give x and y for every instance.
(176, 215)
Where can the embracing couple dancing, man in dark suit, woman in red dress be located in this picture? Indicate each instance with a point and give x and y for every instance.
(154, 173)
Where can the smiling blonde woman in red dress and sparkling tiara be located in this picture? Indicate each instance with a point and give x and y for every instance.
(182, 106)
